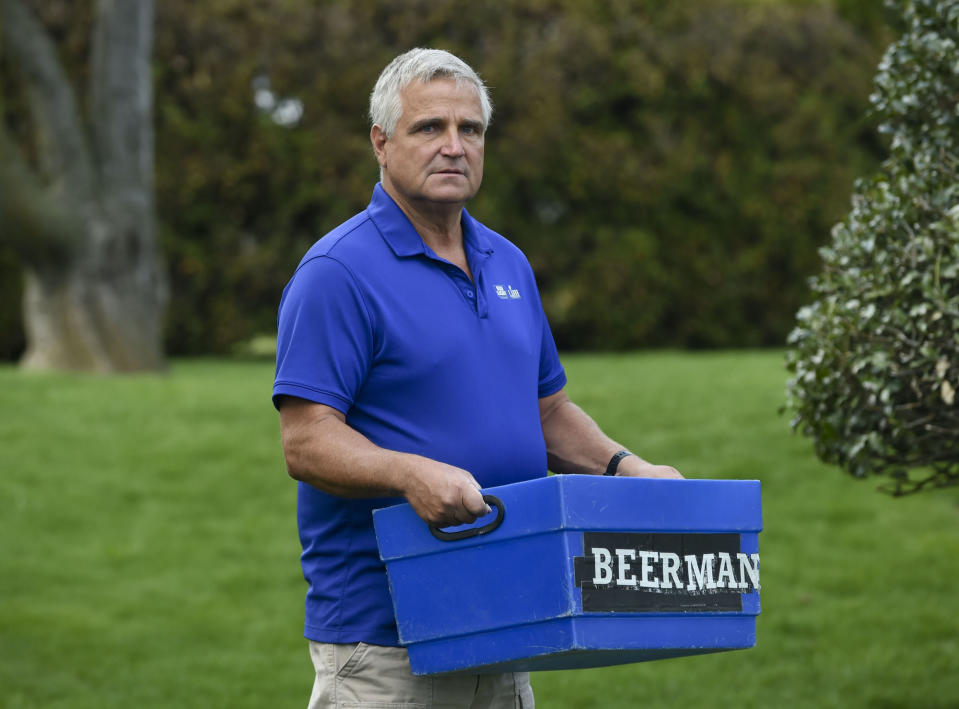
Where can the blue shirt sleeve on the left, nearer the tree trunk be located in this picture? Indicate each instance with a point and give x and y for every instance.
(324, 338)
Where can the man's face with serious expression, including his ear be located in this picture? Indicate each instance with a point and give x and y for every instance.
(436, 152)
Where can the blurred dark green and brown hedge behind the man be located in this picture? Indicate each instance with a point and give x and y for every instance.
(669, 168)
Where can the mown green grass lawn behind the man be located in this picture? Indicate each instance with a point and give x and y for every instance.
(150, 556)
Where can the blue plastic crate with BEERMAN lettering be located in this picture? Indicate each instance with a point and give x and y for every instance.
(581, 571)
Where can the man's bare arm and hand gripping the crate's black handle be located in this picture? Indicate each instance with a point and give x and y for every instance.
(323, 450)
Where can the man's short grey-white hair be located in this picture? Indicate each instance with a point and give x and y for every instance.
(424, 65)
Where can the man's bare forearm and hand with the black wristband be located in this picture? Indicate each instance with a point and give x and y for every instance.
(575, 444)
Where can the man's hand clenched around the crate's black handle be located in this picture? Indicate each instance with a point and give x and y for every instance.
(441, 494)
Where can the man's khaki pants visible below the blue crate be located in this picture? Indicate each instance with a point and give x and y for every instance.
(359, 675)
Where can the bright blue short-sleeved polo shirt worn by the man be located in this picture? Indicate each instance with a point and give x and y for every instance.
(420, 359)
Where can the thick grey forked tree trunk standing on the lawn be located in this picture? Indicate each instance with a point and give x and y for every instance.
(98, 305)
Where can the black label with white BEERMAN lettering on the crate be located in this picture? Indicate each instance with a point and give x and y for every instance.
(664, 573)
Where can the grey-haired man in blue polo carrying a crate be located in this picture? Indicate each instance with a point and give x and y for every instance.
(414, 361)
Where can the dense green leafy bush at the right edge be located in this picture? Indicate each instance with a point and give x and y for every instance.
(876, 356)
